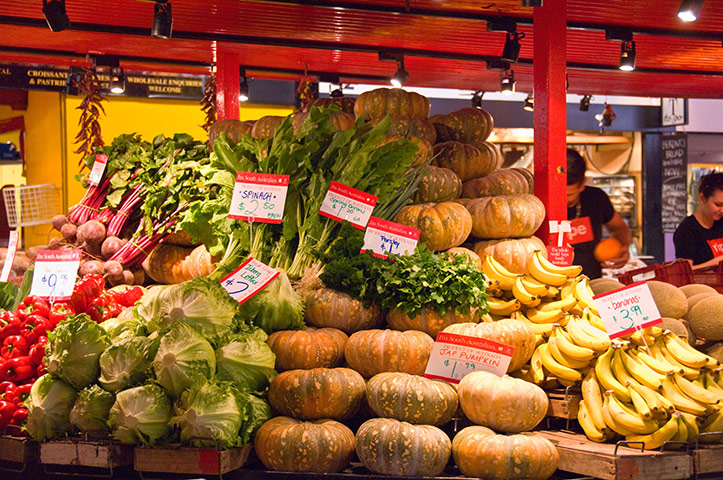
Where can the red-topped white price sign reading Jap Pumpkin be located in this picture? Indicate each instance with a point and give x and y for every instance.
(454, 356)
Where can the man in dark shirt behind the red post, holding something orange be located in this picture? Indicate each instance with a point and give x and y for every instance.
(588, 209)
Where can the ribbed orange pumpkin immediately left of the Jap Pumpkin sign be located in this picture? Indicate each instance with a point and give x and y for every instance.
(374, 351)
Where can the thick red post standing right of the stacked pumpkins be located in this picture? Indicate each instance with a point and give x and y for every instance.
(550, 115)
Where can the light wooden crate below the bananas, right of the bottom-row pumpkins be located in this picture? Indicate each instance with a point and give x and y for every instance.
(581, 456)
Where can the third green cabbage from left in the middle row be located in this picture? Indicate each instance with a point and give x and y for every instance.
(183, 357)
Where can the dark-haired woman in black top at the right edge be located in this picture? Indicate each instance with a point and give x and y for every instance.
(699, 238)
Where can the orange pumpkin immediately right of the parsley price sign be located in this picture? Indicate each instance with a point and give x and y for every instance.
(443, 225)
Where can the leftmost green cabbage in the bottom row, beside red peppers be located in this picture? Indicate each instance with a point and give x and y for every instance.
(49, 405)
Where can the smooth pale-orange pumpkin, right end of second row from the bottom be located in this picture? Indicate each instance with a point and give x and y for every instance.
(504, 404)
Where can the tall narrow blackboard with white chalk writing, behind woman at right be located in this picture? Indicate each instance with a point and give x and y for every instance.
(674, 163)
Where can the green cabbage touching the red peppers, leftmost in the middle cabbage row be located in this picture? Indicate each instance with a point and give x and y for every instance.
(73, 350)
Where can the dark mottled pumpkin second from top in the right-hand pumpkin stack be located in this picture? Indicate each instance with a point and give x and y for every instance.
(468, 160)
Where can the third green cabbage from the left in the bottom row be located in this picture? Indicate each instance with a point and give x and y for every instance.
(140, 415)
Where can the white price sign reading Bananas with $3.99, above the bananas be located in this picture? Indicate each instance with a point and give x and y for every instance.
(627, 309)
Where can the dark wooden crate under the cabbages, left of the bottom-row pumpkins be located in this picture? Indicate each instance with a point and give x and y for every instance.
(189, 460)
